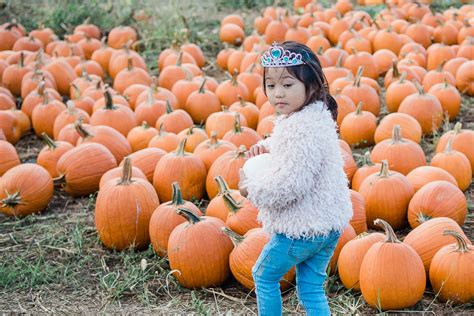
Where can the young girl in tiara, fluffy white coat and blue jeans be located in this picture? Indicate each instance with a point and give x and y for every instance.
(302, 195)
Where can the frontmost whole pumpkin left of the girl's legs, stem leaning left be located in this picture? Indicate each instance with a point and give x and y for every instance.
(195, 263)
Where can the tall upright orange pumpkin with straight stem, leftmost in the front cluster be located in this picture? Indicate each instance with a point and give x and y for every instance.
(123, 210)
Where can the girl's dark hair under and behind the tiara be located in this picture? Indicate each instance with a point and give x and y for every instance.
(311, 75)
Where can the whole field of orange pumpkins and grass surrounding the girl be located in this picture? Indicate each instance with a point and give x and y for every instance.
(123, 126)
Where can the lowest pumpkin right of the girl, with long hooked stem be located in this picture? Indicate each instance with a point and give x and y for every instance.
(392, 275)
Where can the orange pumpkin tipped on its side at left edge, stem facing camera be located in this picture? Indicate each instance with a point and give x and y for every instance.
(25, 189)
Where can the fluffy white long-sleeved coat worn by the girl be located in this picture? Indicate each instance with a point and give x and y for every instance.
(304, 192)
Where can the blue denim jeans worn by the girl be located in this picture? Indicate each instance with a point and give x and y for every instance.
(311, 257)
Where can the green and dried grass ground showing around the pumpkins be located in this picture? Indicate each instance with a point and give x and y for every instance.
(53, 262)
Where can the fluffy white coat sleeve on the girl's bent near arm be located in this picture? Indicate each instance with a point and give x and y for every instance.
(296, 147)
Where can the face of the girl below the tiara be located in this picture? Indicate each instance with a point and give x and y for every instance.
(286, 93)
